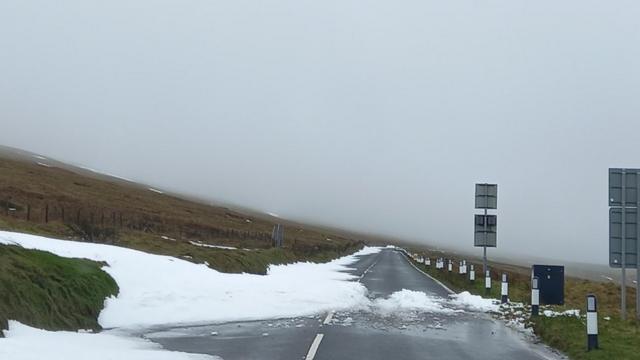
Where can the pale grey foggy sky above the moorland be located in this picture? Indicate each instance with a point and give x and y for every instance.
(370, 115)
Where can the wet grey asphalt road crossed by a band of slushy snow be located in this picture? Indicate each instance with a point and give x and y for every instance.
(363, 334)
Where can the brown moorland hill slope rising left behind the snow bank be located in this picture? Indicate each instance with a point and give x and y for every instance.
(44, 196)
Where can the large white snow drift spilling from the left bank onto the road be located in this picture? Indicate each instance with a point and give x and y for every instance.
(156, 290)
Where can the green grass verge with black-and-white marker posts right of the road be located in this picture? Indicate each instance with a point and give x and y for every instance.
(617, 339)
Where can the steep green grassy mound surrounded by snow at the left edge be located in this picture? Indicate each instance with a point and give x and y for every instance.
(43, 290)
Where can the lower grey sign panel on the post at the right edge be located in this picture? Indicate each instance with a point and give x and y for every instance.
(631, 237)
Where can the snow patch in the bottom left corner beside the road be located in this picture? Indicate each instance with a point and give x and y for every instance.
(26, 343)
